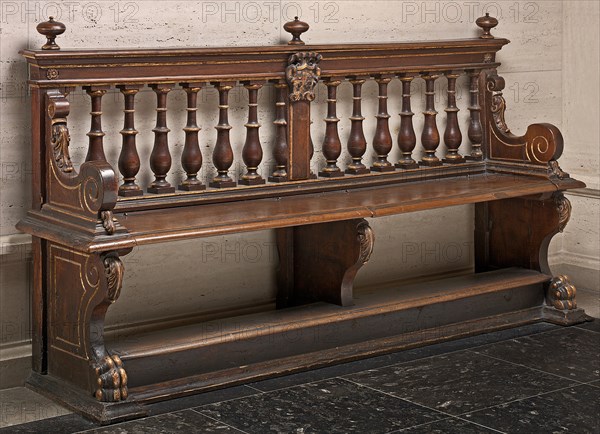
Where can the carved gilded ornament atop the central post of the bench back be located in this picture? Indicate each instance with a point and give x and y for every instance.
(303, 74)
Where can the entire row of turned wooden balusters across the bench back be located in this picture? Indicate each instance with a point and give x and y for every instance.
(252, 154)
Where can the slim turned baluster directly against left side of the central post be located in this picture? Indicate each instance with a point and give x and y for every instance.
(280, 147)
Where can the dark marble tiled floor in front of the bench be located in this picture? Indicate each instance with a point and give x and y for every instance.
(533, 379)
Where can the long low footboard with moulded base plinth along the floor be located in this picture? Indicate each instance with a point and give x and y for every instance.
(189, 359)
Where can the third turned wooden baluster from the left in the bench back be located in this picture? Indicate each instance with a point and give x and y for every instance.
(160, 158)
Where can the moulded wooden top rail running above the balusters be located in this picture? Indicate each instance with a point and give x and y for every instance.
(51, 66)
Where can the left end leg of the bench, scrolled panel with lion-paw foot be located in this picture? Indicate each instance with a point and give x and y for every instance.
(80, 288)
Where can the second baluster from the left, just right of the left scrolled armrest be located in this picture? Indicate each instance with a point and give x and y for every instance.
(129, 160)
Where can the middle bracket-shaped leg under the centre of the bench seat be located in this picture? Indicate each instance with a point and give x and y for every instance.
(319, 262)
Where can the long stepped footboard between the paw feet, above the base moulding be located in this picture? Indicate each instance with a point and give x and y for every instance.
(238, 346)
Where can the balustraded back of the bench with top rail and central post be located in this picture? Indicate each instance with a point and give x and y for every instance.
(289, 75)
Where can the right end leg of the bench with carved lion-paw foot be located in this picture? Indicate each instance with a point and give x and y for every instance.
(516, 233)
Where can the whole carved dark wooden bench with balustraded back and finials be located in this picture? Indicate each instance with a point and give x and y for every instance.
(83, 221)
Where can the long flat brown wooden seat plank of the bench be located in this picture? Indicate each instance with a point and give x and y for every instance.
(154, 226)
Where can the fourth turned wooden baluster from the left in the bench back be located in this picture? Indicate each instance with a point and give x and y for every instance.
(191, 157)
